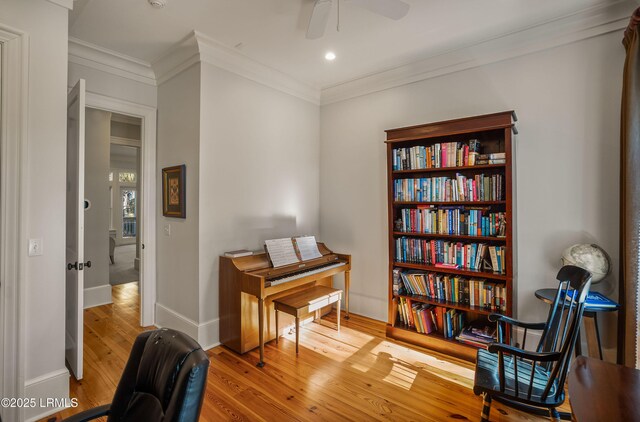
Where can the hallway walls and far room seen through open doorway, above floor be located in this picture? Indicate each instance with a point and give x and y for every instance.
(111, 217)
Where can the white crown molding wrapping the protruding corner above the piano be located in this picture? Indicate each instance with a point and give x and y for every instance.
(197, 47)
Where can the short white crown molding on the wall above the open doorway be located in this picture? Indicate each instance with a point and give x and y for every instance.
(105, 60)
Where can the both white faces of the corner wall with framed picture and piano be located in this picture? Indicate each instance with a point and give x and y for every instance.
(252, 156)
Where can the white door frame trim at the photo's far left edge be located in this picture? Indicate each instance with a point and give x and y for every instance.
(13, 205)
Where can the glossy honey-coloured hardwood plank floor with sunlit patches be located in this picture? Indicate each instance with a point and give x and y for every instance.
(356, 374)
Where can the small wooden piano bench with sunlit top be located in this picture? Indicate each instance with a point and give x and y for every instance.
(304, 302)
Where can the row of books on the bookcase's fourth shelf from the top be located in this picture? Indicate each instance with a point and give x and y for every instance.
(440, 253)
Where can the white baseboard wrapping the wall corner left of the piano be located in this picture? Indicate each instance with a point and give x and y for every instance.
(206, 334)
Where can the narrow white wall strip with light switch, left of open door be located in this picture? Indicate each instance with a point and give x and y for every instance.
(46, 25)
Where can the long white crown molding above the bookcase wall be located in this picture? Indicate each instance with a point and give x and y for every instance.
(589, 23)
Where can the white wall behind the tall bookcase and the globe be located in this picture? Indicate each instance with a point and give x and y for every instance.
(567, 100)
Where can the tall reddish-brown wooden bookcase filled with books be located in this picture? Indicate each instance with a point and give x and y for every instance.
(423, 154)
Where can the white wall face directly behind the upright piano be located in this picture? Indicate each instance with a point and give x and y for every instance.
(259, 171)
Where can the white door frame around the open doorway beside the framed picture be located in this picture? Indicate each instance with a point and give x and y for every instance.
(148, 194)
